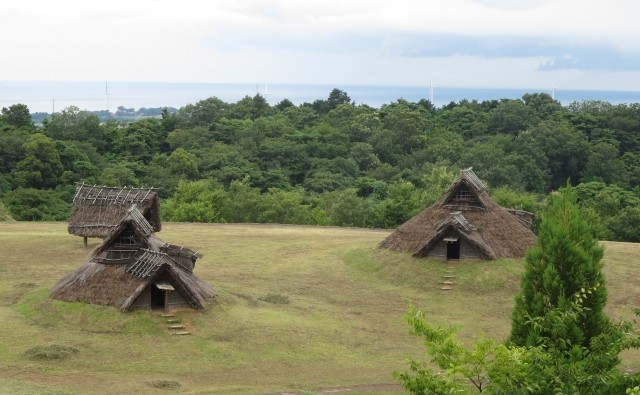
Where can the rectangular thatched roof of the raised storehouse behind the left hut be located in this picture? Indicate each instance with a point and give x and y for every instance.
(97, 209)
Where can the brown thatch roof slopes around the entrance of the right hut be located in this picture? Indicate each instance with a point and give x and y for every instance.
(499, 234)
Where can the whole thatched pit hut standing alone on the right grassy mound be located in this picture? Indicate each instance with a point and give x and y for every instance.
(465, 224)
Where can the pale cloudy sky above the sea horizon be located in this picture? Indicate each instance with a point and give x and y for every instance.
(539, 44)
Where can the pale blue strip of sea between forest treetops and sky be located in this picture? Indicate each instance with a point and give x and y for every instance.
(50, 96)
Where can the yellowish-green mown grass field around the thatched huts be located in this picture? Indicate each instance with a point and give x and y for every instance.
(300, 310)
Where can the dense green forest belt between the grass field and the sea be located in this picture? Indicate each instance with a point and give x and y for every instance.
(329, 162)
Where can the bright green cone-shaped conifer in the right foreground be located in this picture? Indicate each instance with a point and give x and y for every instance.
(566, 262)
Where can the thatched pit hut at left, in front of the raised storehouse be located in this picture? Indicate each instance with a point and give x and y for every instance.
(134, 269)
